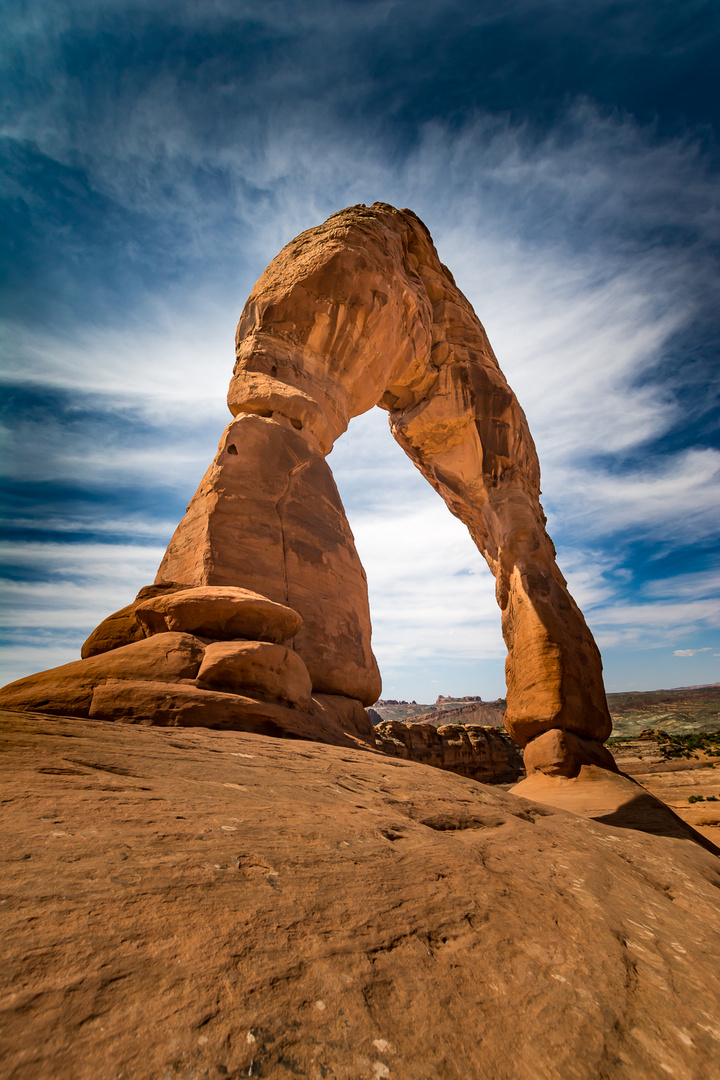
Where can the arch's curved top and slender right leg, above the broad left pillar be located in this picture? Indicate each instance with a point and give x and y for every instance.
(360, 312)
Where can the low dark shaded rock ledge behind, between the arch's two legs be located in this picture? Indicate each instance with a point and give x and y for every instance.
(481, 753)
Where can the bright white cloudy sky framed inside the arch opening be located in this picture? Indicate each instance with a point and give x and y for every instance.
(436, 622)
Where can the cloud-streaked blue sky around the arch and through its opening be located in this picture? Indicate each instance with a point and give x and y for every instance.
(565, 158)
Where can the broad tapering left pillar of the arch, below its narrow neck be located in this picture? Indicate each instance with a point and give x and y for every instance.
(268, 517)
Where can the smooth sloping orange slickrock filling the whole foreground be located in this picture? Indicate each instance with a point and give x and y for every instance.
(205, 904)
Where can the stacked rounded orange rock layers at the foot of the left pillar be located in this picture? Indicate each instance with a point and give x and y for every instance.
(213, 657)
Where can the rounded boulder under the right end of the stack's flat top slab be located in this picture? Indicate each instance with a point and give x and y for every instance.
(256, 668)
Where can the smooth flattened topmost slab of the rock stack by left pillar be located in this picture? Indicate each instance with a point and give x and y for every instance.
(222, 614)
